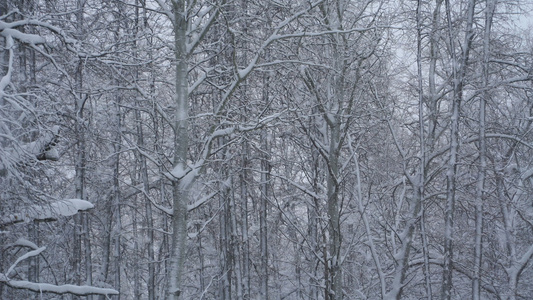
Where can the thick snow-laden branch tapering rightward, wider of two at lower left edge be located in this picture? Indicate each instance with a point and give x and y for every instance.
(47, 212)
